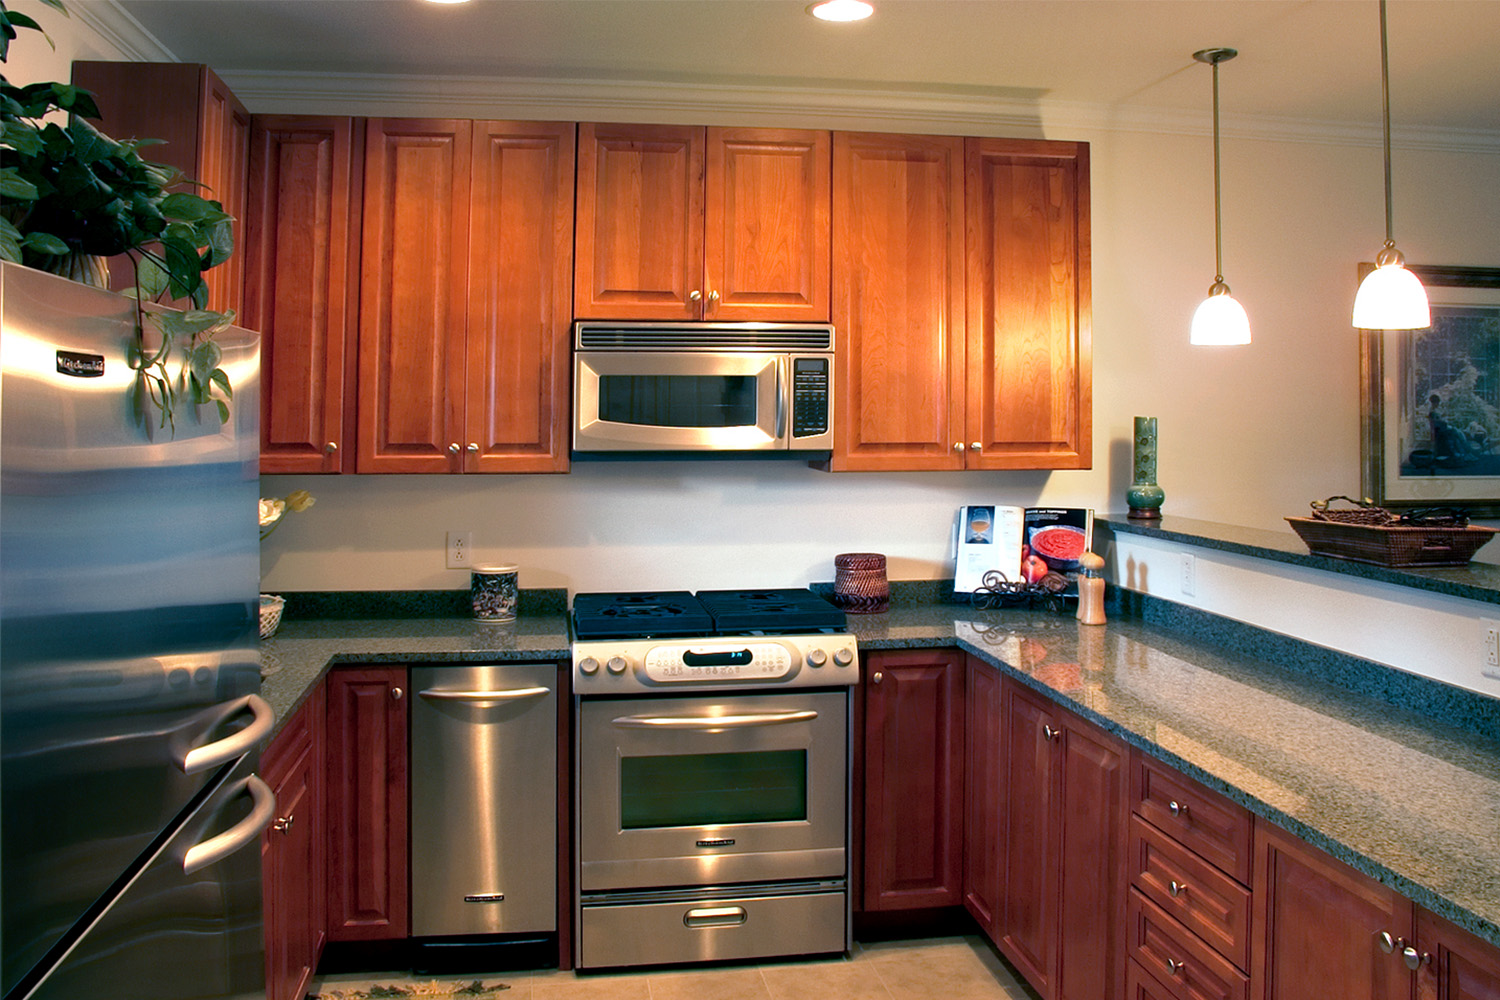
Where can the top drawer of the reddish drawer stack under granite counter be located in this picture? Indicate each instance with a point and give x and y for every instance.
(1204, 822)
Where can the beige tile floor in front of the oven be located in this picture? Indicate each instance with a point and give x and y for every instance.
(928, 969)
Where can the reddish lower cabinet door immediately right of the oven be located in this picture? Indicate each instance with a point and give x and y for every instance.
(914, 780)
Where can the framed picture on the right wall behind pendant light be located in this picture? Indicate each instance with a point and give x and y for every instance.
(1430, 400)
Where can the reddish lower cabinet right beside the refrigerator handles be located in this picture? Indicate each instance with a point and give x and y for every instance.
(293, 854)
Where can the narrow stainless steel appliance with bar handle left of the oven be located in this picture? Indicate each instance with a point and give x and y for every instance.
(484, 800)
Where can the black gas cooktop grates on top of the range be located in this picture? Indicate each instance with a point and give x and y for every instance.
(680, 614)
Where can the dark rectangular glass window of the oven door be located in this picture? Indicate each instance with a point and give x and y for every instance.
(709, 789)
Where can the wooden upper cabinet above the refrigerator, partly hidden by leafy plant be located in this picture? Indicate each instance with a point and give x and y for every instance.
(205, 134)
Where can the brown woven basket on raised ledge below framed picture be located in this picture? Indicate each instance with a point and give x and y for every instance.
(1373, 534)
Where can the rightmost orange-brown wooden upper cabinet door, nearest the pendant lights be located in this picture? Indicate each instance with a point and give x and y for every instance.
(1030, 365)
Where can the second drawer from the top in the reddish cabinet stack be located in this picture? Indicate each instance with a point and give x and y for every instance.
(1204, 899)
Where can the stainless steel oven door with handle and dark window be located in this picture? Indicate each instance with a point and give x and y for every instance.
(712, 789)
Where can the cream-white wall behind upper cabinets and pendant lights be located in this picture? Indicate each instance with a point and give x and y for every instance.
(1249, 436)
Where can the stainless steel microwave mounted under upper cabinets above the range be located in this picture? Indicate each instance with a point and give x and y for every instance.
(695, 388)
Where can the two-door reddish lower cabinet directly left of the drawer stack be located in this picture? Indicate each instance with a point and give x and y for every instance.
(1063, 849)
